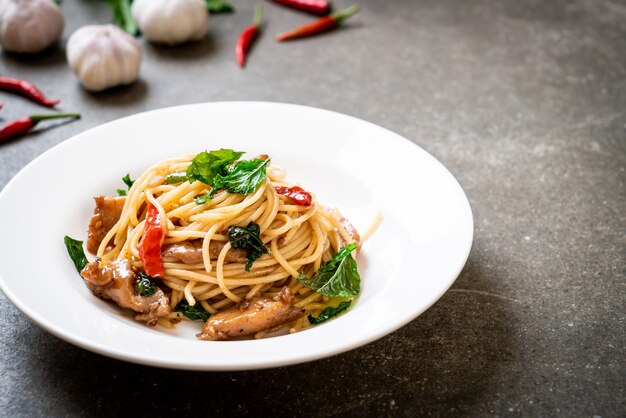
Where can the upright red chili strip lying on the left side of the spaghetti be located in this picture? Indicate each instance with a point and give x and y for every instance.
(150, 244)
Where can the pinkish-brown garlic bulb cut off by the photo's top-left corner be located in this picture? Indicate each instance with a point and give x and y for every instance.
(29, 25)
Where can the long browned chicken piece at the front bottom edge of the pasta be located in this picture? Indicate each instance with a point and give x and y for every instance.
(251, 317)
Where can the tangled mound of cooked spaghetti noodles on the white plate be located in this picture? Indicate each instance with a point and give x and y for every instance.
(201, 267)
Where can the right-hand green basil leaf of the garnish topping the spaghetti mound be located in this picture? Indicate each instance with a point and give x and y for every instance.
(243, 177)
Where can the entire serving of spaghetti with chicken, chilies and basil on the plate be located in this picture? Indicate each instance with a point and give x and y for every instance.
(223, 240)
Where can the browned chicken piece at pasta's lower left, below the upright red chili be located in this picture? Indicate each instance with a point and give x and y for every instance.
(115, 280)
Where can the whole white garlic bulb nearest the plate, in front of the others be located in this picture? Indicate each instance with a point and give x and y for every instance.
(103, 56)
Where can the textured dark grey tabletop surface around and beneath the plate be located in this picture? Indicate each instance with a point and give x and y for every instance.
(524, 102)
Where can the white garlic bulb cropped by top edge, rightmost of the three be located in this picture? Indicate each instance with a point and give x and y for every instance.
(171, 21)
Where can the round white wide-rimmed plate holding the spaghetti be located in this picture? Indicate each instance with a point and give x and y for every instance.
(414, 257)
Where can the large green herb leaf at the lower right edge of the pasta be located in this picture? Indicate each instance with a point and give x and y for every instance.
(338, 277)
